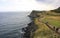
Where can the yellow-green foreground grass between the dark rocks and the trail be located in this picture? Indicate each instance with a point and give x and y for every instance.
(43, 31)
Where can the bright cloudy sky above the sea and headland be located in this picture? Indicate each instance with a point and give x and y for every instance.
(28, 5)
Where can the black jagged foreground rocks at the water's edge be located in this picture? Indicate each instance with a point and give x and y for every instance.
(29, 29)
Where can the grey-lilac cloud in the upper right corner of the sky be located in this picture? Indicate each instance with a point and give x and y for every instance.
(55, 3)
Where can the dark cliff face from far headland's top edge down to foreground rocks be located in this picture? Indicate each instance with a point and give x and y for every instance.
(31, 28)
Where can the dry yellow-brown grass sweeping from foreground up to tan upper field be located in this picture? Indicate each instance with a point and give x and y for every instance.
(43, 31)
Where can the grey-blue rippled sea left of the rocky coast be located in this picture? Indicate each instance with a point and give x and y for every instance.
(11, 24)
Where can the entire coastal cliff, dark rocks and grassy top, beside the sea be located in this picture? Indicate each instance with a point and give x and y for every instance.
(39, 29)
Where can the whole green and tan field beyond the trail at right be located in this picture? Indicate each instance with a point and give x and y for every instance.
(53, 20)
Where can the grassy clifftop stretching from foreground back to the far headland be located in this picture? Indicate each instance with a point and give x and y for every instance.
(52, 17)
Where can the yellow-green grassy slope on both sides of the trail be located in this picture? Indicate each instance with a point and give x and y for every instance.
(43, 31)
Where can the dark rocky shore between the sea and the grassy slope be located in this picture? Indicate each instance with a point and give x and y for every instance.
(29, 30)
